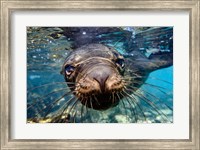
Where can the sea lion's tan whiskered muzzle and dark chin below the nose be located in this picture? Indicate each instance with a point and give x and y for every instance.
(92, 94)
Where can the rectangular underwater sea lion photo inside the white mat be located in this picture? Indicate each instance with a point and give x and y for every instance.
(99, 74)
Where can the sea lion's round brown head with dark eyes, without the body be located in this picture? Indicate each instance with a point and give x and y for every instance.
(97, 72)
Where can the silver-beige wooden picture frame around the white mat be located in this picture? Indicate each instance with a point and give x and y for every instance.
(8, 7)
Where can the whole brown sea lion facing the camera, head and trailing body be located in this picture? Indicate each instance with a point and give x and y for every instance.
(102, 76)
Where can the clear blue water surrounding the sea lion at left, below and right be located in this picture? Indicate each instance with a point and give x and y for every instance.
(45, 57)
